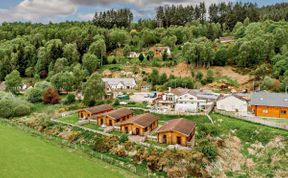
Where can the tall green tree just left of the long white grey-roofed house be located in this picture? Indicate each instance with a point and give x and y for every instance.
(94, 89)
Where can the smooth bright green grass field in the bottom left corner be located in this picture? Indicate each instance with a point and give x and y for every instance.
(23, 155)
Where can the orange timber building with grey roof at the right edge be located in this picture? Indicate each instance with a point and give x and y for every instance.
(267, 104)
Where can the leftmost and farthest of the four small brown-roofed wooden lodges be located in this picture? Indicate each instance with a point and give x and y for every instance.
(95, 111)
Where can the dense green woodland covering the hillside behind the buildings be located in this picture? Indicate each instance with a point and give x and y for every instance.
(67, 54)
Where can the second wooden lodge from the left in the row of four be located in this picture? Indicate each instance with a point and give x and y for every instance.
(115, 116)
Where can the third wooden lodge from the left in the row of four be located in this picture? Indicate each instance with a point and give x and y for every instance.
(140, 124)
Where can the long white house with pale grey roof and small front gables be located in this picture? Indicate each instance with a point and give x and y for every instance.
(119, 83)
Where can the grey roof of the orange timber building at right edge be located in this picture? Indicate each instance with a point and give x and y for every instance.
(269, 99)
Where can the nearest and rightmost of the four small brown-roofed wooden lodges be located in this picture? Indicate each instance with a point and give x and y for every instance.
(177, 131)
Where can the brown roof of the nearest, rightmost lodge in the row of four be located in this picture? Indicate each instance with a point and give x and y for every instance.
(184, 126)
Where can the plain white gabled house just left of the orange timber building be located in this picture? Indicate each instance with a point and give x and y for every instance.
(232, 103)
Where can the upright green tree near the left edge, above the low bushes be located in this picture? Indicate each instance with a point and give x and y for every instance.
(13, 82)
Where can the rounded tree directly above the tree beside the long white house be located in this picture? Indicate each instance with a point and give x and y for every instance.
(90, 62)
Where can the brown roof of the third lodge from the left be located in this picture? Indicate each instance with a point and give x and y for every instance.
(143, 120)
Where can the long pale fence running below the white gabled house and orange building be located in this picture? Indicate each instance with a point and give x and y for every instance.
(254, 119)
